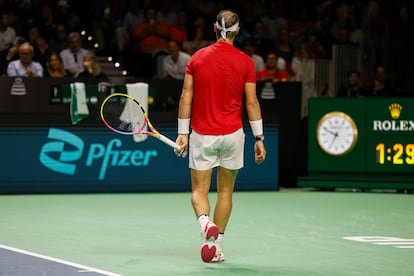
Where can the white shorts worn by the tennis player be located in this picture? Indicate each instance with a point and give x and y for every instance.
(209, 151)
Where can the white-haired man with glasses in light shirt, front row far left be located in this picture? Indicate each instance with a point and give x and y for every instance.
(25, 66)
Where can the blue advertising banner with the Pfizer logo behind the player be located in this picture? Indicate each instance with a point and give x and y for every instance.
(48, 160)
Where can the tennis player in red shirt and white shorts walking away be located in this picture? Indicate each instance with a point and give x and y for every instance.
(216, 80)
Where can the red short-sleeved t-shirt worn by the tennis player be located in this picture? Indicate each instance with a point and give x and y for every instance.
(220, 72)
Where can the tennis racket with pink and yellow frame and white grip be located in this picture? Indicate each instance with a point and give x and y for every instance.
(123, 114)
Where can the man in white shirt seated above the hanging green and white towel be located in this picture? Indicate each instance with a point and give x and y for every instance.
(73, 55)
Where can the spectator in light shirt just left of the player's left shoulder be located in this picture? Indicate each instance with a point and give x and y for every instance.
(174, 63)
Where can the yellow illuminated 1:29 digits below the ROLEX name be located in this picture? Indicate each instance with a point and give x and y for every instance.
(396, 154)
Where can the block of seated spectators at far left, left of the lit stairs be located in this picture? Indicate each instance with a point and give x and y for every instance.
(44, 40)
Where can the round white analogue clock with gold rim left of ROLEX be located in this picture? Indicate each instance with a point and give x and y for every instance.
(336, 133)
